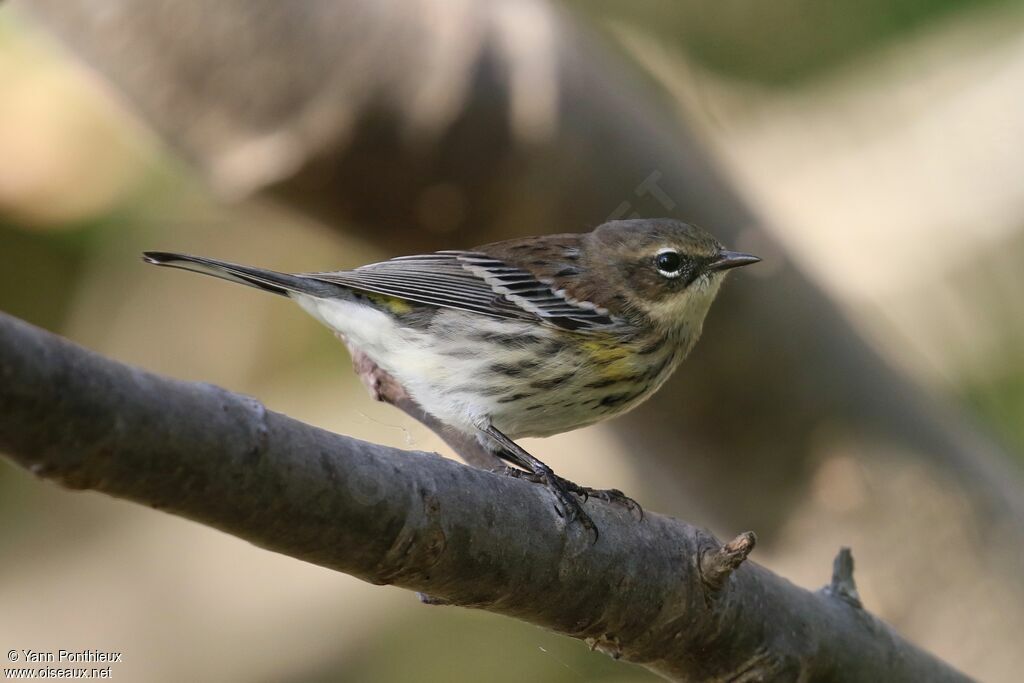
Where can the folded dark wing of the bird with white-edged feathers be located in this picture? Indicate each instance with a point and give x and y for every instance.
(477, 283)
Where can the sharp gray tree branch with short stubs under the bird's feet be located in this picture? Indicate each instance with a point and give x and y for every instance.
(658, 592)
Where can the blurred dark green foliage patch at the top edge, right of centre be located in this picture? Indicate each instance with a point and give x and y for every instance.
(780, 42)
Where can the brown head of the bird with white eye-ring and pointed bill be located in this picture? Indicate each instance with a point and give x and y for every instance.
(663, 269)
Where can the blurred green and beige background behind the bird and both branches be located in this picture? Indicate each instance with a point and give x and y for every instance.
(872, 134)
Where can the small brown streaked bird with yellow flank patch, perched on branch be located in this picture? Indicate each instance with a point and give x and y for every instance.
(527, 337)
